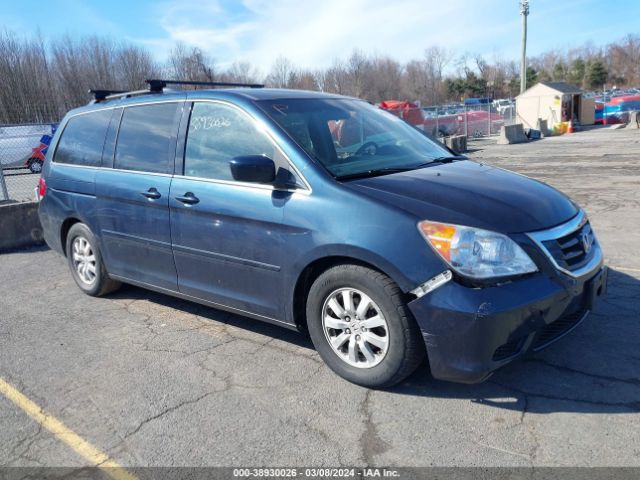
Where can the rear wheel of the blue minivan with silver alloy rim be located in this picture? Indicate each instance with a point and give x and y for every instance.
(85, 262)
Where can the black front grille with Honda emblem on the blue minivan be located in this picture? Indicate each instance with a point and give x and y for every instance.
(574, 250)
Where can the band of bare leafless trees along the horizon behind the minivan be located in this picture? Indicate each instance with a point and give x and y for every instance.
(41, 80)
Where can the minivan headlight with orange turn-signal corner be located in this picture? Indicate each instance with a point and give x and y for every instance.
(476, 253)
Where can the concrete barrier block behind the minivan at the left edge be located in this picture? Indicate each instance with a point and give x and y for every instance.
(19, 225)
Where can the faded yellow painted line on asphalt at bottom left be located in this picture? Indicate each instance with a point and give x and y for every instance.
(65, 434)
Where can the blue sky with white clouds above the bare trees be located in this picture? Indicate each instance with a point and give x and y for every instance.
(313, 33)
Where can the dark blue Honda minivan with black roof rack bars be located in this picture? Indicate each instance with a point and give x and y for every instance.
(324, 214)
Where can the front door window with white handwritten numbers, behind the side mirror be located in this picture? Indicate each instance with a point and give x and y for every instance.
(217, 134)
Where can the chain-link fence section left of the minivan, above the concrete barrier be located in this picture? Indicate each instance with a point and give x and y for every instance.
(22, 151)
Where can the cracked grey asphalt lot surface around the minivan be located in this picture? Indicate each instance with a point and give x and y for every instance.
(154, 381)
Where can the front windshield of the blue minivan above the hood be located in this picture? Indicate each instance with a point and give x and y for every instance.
(352, 137)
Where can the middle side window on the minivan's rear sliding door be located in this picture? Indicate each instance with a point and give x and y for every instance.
(145, 138)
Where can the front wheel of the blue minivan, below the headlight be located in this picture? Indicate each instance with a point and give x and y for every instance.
(387, 344)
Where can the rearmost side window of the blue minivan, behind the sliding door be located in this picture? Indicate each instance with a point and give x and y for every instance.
(82, 140)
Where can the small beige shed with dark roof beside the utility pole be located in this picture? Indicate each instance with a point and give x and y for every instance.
(555, 102)
